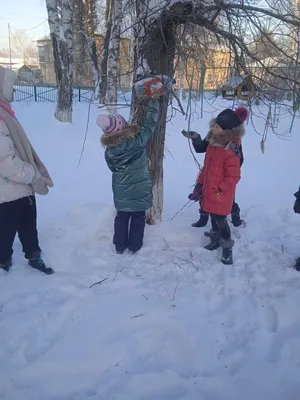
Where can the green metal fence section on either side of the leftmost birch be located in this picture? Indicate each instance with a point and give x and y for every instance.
(48, 93)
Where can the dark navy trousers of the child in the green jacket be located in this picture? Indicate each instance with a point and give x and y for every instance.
(129, 230)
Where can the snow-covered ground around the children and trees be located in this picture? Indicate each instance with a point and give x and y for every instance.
(172, 322)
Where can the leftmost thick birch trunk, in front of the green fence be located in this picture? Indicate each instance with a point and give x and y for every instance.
(61, 32)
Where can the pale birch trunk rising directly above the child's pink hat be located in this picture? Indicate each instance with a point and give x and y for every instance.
(114, 56)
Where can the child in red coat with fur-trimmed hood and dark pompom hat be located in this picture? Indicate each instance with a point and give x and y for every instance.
(219, 176)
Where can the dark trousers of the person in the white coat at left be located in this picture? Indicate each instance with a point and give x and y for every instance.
(18, 217)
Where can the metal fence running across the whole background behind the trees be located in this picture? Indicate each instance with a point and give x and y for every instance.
(275, 82)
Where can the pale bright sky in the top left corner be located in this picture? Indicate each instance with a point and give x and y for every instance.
(23, 15)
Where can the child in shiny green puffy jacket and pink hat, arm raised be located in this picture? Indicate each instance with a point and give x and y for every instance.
(126, 157)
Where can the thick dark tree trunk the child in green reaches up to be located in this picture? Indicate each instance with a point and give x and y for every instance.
(154, 54)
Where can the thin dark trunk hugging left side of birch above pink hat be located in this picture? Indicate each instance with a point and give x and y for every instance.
(103, 83)
